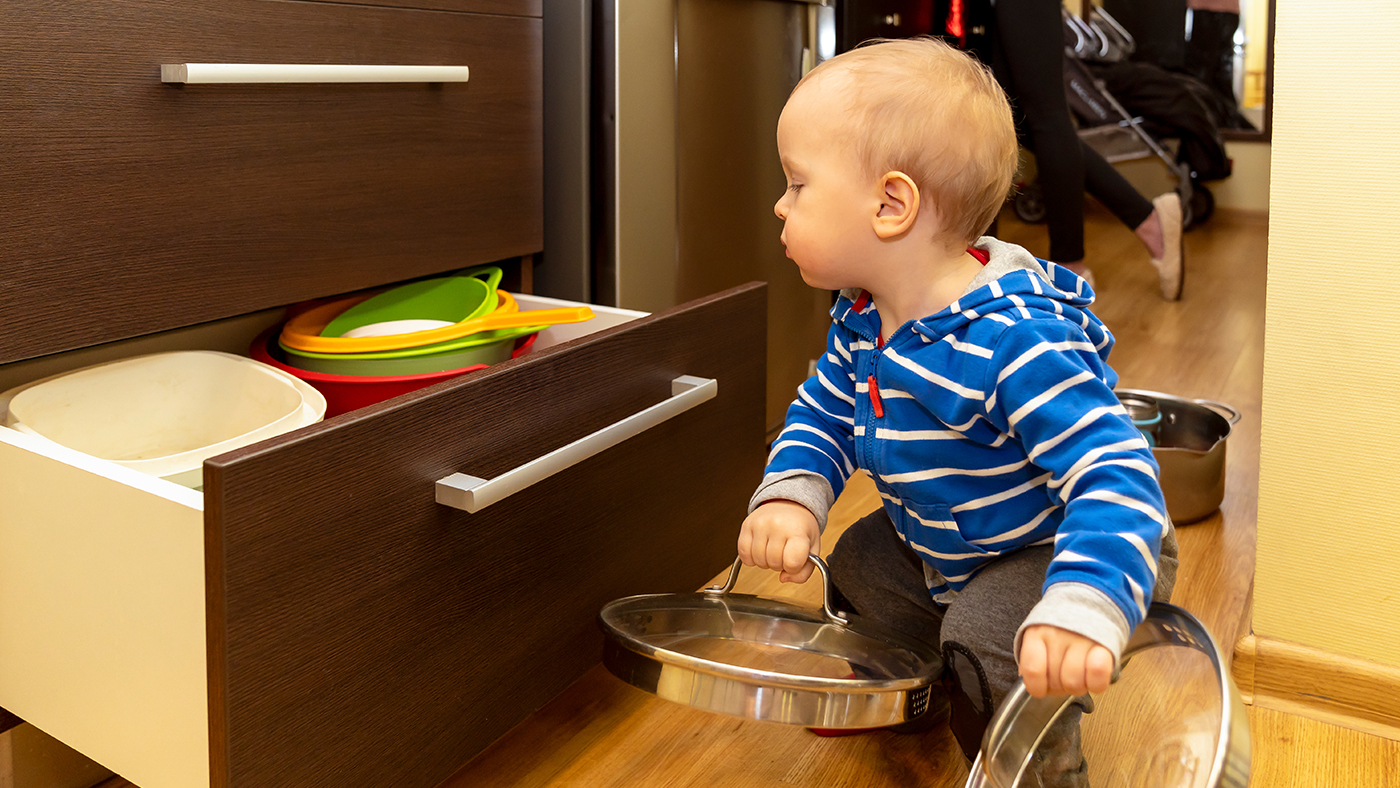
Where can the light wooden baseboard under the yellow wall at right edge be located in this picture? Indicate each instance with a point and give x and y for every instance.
(1319, 685)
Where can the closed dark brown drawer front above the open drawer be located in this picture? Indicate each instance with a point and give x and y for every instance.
(134, 206)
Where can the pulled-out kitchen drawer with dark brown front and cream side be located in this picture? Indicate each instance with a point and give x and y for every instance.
(317, 618)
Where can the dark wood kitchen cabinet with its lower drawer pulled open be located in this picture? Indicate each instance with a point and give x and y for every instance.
(316, 618)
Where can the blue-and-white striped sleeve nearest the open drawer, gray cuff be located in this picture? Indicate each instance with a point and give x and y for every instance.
(818, 439)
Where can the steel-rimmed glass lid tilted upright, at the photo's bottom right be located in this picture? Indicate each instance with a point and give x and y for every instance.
(1216, 755)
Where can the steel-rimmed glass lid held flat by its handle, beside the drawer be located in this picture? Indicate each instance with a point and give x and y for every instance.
(768, 660)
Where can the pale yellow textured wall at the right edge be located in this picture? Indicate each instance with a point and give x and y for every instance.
(1329, 500)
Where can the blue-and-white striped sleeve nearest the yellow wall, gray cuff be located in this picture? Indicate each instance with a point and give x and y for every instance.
(1049, 388)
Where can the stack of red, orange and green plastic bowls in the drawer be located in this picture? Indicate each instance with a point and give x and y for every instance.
(370, 348)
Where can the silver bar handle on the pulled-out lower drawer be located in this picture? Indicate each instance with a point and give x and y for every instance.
(474, 495)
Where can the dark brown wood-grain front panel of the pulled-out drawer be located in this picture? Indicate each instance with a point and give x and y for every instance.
(363, 635)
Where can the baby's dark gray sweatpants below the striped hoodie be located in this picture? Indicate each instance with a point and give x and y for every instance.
(881, 579)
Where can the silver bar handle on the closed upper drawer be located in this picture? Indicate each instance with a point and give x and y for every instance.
(246, 73)
